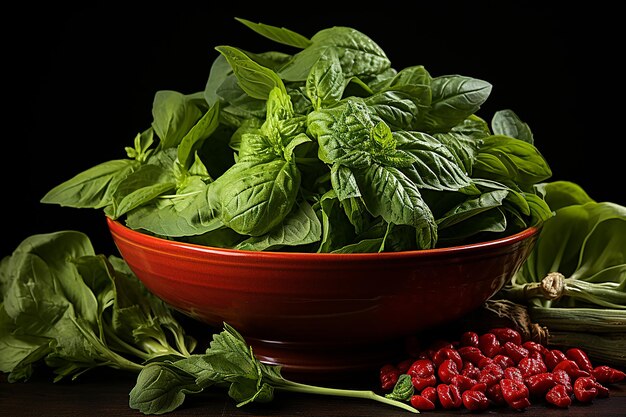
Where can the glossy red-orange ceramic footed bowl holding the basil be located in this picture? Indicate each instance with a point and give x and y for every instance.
(320, 313)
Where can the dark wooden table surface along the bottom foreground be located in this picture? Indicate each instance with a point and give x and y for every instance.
(105, 393)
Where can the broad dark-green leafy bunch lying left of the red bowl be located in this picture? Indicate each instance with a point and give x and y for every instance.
(65, 307)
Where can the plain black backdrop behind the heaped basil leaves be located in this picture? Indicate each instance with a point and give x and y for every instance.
(79, 82)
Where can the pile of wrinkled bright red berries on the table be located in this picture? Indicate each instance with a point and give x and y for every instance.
(495, 368)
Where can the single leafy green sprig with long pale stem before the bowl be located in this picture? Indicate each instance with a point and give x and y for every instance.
(228, 363)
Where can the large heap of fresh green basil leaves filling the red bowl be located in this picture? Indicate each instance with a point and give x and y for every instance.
(329, 149)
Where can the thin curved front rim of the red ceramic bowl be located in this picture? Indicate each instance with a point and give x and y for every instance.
(116, 227)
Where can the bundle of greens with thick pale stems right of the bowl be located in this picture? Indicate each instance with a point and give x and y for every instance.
(574, 282)
